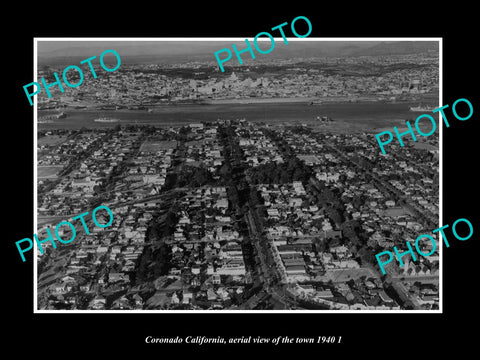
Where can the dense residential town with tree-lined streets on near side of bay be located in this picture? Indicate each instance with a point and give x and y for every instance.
(235, 215)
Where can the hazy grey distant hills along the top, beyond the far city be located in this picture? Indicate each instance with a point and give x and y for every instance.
(168, 52)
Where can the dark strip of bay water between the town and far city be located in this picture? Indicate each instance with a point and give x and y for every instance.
(362, 115)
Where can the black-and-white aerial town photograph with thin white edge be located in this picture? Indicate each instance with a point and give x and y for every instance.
(259, 188)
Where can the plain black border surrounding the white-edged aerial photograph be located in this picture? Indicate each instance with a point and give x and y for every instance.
(360, 332)
